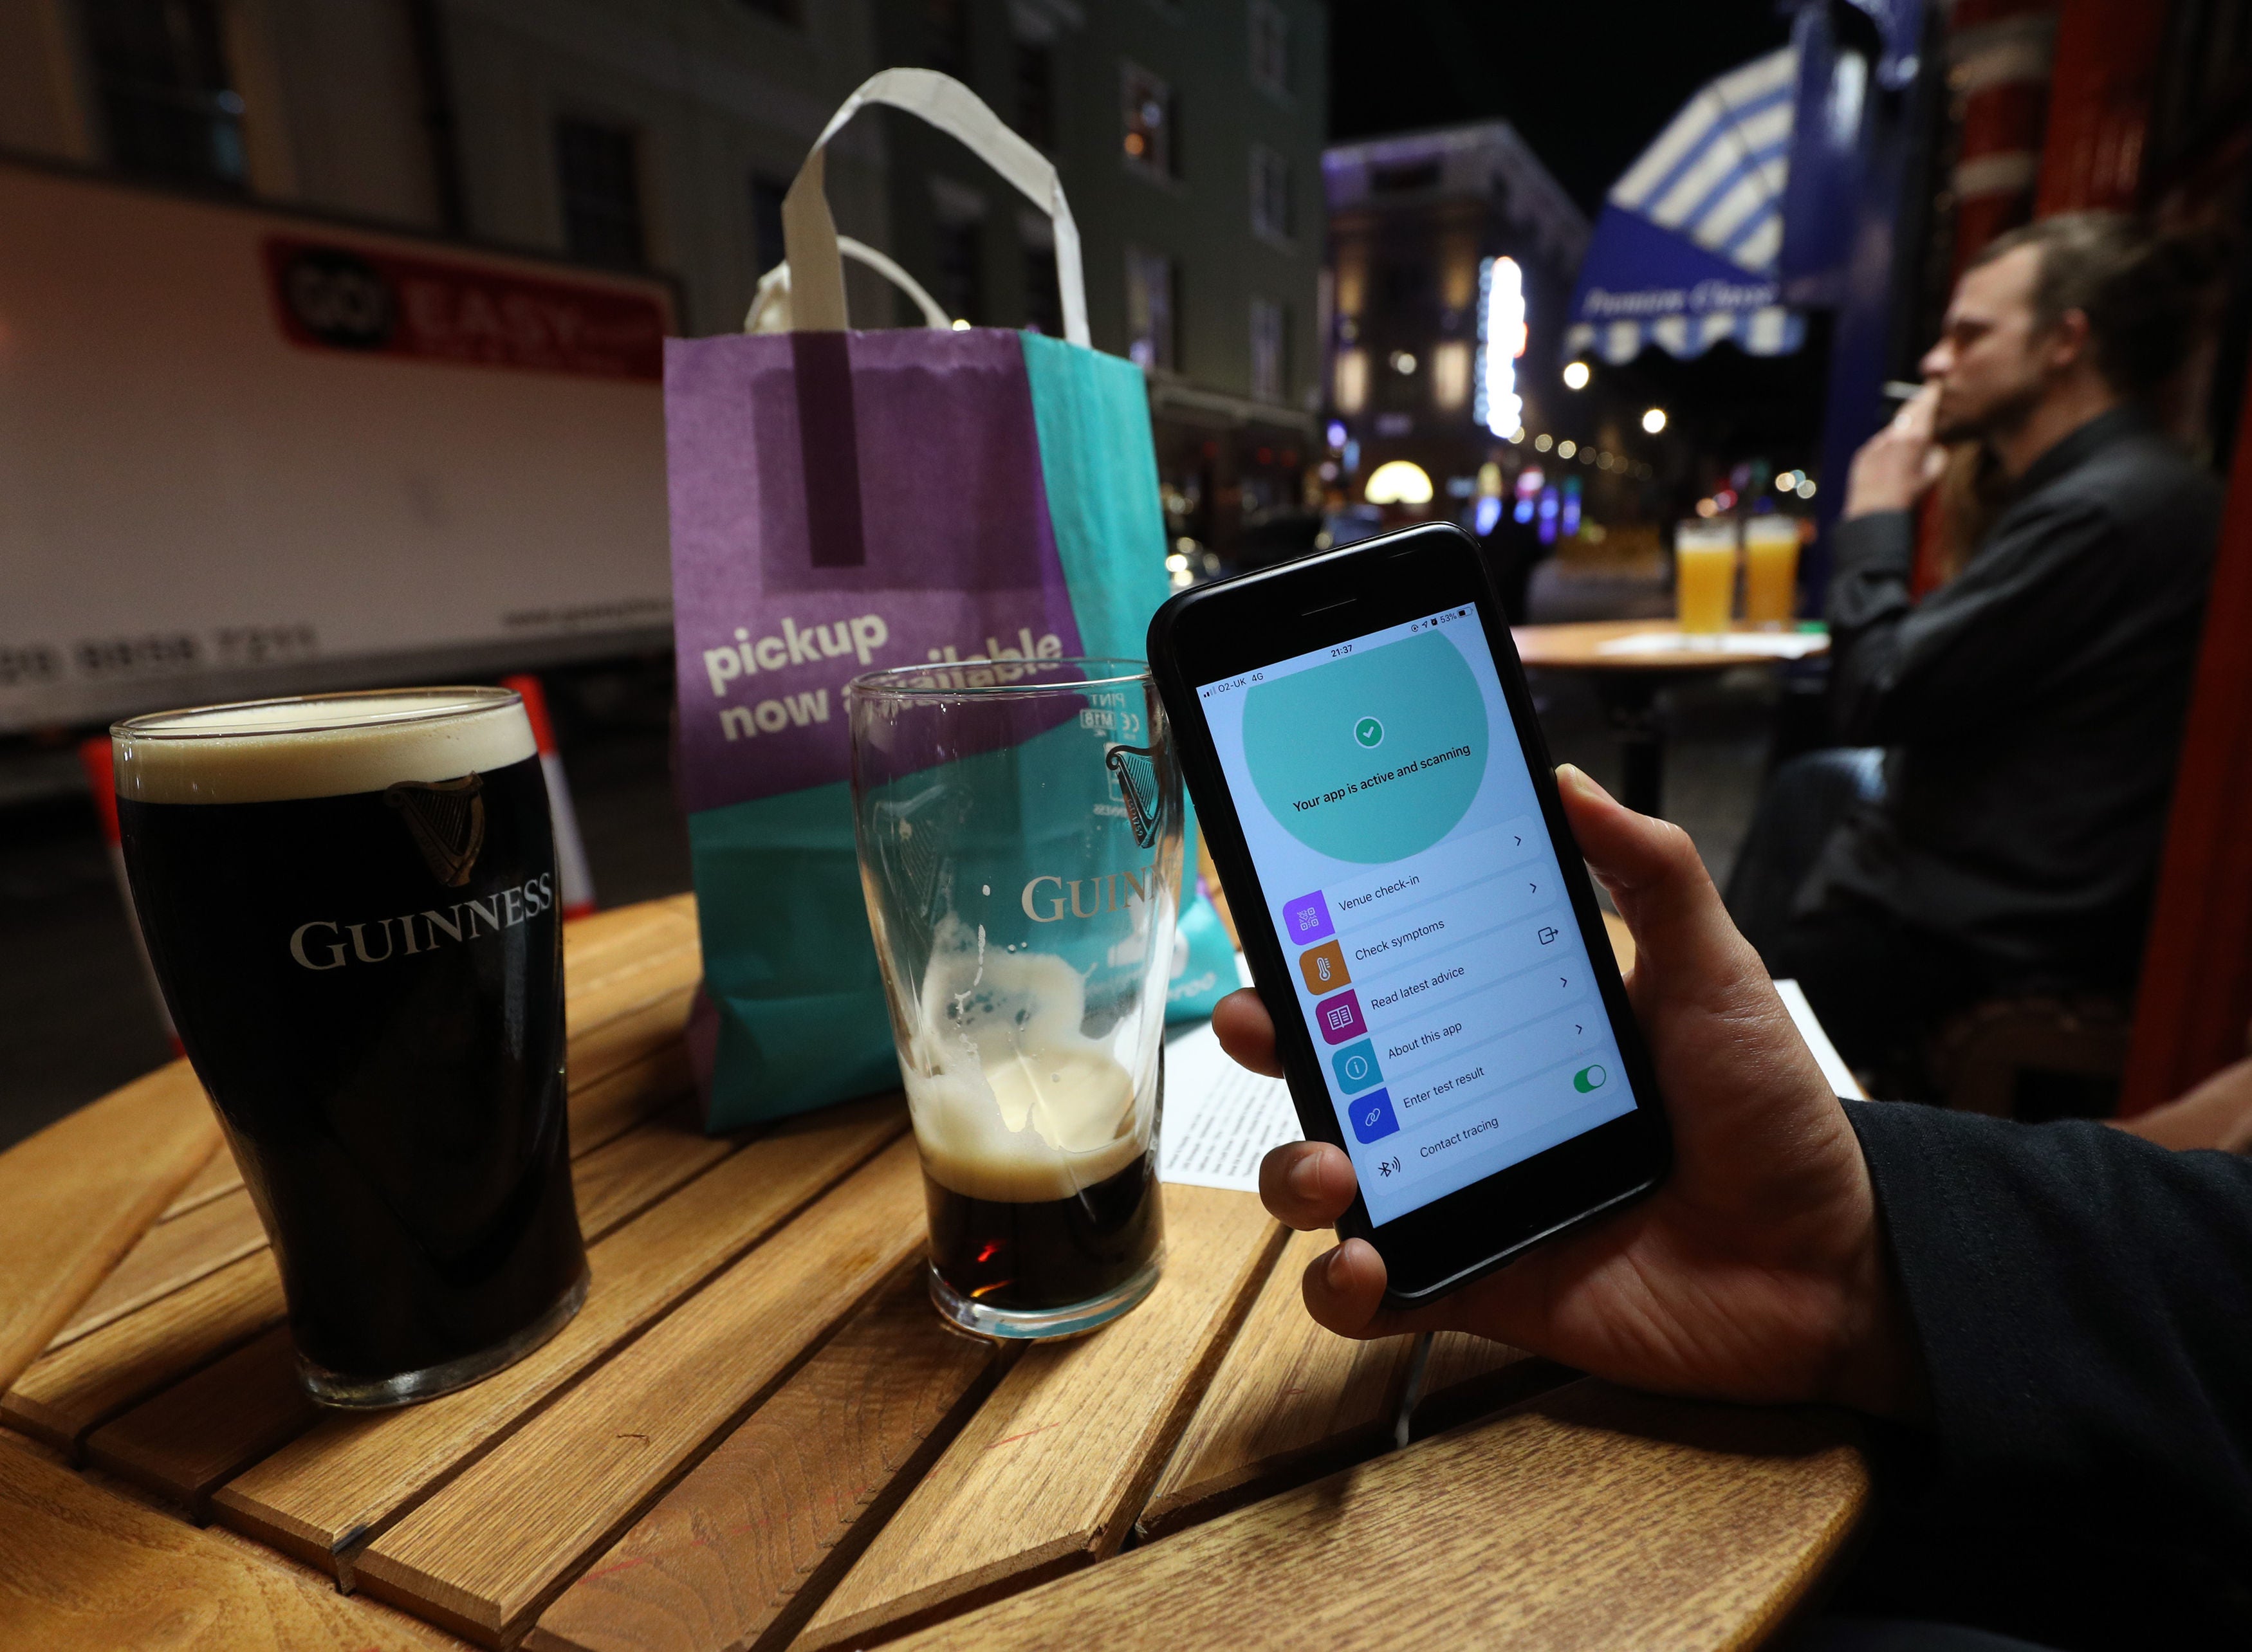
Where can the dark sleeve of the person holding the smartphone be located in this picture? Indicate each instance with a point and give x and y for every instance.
(2084, 1309)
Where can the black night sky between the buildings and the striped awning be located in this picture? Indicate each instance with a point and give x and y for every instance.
(1587, 82)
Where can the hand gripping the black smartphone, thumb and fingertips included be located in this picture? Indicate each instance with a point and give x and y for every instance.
(1755, 1273)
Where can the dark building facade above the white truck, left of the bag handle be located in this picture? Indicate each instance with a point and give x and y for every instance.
(620, 136)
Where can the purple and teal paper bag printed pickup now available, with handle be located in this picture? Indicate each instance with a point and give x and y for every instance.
(855, 501)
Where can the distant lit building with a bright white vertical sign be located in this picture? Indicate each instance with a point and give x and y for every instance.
(1451, 262)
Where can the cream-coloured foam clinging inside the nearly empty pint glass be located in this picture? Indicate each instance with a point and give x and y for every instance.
(1012, 1099)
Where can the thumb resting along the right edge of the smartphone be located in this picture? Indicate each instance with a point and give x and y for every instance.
(1683, 937)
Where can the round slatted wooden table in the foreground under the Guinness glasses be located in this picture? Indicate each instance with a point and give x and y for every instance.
(758, 1433)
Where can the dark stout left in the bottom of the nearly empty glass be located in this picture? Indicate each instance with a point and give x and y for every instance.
(1046, 1255)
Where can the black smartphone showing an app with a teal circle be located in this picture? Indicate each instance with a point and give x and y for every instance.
(1384, 816)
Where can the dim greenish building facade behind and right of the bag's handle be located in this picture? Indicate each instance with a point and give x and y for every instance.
(1190, 141)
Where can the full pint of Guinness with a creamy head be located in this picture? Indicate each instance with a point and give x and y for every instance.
(352, 910)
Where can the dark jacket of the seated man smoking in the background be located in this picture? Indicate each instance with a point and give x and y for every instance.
(2032, 708)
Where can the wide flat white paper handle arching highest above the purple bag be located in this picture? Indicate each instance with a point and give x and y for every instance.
(810, 235)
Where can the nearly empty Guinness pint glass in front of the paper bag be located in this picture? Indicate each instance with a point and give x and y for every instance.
(1021, 852)
